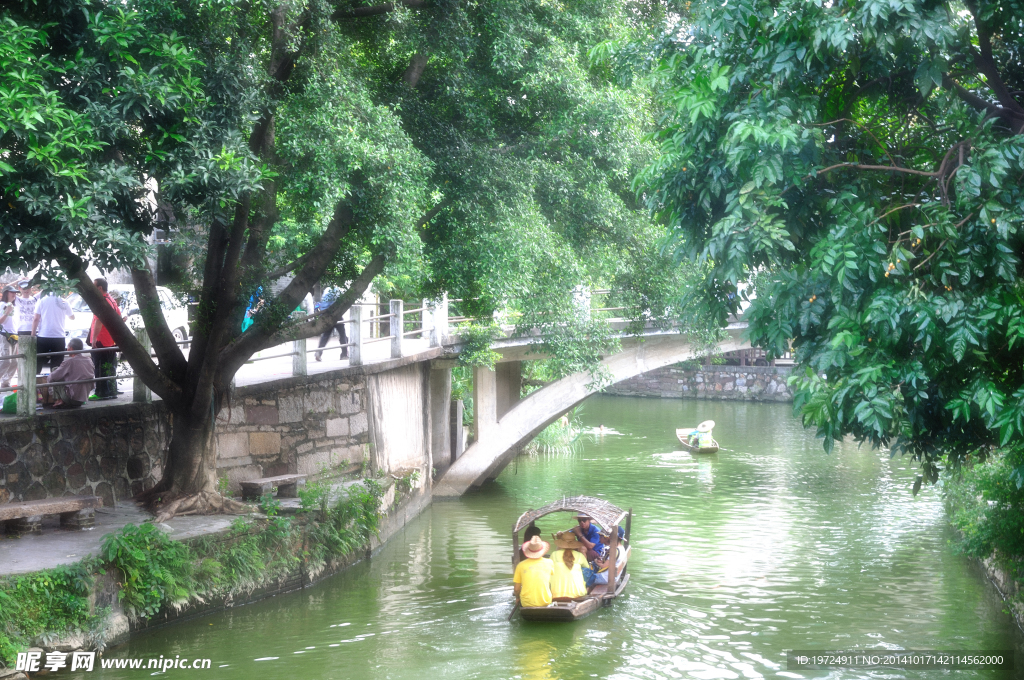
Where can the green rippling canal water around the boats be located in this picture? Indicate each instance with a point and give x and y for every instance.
(771, 545)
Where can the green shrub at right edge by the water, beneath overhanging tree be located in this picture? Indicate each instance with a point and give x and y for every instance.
(988, 506)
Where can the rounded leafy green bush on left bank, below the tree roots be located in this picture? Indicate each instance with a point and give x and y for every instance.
(154, 570)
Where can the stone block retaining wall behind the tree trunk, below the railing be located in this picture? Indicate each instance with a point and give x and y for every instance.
(302, 424)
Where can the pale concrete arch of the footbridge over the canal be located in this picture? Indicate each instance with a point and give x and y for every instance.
(498, 445)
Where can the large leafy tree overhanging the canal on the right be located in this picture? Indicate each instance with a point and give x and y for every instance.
(860, 163)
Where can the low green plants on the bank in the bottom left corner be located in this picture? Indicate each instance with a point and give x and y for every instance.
(52, 602)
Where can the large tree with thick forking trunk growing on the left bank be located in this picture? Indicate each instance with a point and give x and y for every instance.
(455, 147)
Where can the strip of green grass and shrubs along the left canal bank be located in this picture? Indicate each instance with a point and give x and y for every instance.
(154, 572)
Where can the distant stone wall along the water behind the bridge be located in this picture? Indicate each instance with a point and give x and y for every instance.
(755, 384)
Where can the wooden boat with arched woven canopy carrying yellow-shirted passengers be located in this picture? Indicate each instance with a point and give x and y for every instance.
(605, 516)
